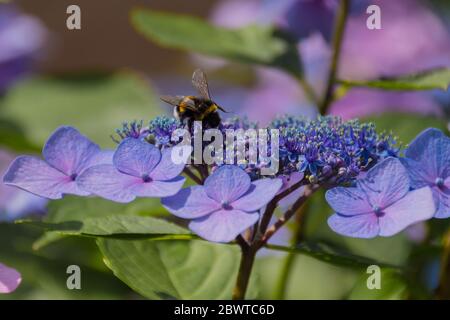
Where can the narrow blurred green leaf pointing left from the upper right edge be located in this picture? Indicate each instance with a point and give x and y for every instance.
(427, 80)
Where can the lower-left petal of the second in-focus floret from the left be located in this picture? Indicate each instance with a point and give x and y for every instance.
(107, 182)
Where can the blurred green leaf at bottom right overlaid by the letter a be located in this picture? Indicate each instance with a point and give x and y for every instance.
(392, 287)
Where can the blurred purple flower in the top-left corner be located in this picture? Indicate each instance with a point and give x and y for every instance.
(21, 38)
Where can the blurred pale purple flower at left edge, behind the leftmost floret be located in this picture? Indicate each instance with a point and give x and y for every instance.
(16, 203)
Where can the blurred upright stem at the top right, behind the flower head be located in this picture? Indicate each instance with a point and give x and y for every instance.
(339, 28)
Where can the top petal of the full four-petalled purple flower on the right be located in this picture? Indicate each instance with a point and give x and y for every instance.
(385, 183)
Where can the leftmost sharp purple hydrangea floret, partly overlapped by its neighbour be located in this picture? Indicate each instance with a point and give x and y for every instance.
(67, 153)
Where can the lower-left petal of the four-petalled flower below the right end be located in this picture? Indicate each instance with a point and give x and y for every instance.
(358, 226)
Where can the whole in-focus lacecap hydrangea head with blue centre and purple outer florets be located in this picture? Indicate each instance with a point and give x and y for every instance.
(370, 185)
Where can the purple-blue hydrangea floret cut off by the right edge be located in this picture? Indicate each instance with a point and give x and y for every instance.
(428, 162)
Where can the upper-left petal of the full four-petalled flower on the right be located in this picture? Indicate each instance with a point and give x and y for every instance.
(348, 201)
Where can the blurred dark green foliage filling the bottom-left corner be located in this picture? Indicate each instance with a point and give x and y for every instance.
(44, 274)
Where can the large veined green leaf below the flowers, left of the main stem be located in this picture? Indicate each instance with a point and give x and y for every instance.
(174, 269)
